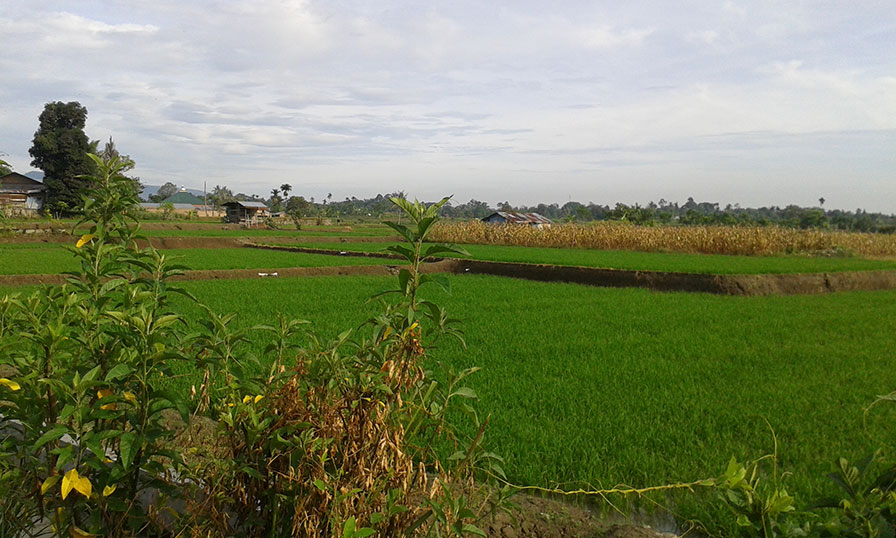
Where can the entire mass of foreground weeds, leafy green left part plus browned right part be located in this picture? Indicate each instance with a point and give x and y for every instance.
(333, 438)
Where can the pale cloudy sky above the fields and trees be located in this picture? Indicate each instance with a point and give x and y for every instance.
(752, 102)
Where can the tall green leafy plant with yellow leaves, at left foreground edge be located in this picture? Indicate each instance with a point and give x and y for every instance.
(84, 432)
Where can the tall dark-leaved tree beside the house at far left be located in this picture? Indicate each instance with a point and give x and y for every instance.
(60, 149)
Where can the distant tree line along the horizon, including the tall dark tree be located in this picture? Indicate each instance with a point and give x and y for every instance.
(60, 149)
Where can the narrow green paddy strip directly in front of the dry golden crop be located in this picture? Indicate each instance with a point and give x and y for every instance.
(651, 261)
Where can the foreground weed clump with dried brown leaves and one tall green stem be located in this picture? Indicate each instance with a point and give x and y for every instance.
(341, 439)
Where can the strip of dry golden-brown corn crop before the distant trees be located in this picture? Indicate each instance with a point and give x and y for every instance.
(736, 240)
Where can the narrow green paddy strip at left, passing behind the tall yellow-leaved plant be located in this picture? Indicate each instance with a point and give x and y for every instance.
(55, 260)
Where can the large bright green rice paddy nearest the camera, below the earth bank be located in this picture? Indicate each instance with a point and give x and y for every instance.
(593, 387)
